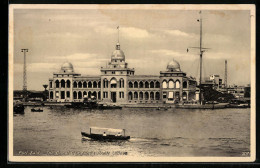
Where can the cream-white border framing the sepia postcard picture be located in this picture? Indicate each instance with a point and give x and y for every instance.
(127, 158)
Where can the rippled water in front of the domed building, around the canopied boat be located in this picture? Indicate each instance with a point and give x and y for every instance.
(172, 132)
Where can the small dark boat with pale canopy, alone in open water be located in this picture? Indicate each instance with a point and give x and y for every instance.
(105, 134)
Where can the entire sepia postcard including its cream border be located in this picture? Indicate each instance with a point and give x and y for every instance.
(131, 83)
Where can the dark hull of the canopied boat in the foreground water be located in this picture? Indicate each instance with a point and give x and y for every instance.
(104, 138)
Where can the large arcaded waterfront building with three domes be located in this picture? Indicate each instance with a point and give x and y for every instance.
(119, 84)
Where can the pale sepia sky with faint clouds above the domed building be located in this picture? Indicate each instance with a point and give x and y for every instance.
(149, 38)
